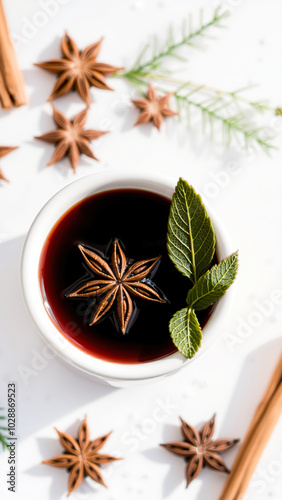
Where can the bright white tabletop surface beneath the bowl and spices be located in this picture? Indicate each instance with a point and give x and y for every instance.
(230, 378)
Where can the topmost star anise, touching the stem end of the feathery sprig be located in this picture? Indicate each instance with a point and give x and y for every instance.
(78, 70)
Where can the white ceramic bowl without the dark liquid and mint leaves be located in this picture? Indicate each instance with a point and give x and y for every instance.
(116, 374)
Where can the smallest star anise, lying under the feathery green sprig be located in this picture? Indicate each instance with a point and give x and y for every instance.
(154, 108)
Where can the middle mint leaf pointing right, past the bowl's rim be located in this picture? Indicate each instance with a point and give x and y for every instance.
(213, 284)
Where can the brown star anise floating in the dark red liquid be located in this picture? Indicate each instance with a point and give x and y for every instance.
(118, 282)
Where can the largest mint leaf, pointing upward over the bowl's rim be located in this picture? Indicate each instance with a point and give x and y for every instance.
(191, 237)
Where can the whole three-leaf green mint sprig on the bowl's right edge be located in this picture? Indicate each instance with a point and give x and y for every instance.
(191, 247)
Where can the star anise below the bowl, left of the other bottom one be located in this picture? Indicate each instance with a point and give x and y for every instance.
(81, 457)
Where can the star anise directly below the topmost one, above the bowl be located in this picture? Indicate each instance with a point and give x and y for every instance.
(71, 138)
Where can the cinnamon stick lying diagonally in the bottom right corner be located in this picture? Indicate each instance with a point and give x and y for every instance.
(262, 425)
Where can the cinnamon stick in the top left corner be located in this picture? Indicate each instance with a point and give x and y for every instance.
(12, 92)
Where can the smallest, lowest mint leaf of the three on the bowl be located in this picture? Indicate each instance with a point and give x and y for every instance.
(186, 332)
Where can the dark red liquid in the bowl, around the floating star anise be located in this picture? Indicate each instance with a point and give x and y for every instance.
(139, 220)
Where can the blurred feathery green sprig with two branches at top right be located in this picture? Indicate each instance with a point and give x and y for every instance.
(228, 109)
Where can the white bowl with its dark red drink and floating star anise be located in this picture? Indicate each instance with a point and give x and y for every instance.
(99, 283)
